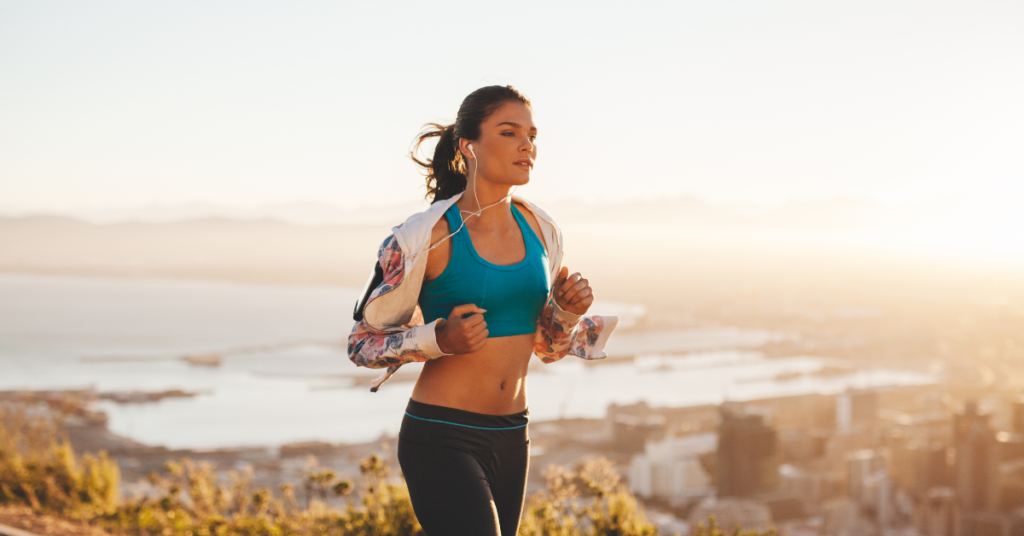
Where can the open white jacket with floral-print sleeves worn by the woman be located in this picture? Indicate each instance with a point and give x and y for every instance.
(393, 334)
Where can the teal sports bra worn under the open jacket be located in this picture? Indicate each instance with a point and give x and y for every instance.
(513, 295)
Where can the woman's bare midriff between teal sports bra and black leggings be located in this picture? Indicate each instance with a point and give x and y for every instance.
(492, 381)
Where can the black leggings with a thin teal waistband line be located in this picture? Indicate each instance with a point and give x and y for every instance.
(466, 472)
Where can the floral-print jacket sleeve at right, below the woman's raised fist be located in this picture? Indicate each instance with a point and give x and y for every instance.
(561, 334)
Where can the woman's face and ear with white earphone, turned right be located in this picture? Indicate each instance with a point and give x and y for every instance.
(507, 148)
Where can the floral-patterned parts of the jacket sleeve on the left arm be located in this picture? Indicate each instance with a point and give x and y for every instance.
(378, 348)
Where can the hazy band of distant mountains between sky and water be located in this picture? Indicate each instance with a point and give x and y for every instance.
(318, 243)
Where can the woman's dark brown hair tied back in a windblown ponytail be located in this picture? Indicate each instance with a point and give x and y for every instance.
(447, 171)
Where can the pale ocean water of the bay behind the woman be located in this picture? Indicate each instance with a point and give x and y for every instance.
(285, 377)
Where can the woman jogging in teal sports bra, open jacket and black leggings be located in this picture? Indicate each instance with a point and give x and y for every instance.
(474, 286)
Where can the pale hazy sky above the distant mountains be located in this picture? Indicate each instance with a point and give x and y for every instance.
(123, 104)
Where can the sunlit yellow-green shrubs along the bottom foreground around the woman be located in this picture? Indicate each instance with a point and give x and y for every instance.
(39, 470)
